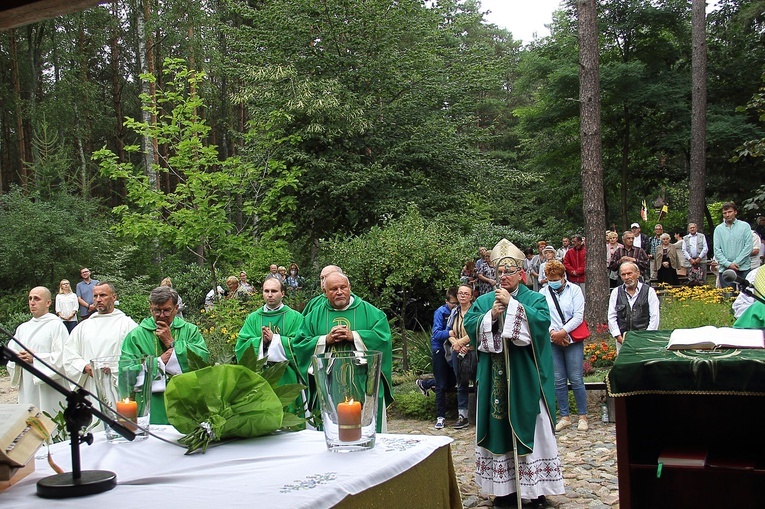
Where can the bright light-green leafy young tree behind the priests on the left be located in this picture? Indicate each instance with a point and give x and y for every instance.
(195, 212)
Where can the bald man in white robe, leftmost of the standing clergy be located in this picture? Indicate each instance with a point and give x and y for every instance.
(45, 336)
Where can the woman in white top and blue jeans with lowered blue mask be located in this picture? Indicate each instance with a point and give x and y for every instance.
(566, 303)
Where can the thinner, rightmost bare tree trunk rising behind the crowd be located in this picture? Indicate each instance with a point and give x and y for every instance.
(696, 199)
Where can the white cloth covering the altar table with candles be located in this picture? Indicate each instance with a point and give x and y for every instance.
(284, 470)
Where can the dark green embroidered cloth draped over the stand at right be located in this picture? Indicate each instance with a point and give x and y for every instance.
(645, 366)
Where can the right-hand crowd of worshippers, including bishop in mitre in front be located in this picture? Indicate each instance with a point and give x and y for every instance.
(526, 326)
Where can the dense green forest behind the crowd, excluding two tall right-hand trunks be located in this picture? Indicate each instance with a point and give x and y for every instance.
(153, 138)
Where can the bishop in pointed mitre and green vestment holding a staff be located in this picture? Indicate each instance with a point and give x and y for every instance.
(509, 327)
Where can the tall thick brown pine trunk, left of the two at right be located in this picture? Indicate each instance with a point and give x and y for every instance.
(592, 165)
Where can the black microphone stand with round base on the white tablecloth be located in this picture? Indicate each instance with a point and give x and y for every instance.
(78, 414)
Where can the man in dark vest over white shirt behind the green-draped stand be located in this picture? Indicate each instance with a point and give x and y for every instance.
(632, 306)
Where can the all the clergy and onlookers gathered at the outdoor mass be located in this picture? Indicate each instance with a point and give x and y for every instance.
(515, 326)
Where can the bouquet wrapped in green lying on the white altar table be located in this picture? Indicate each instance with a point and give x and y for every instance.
(229, 401)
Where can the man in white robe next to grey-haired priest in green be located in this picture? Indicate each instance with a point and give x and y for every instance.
(99, 336)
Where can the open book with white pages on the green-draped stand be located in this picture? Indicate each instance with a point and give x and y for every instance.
(710, 337)
